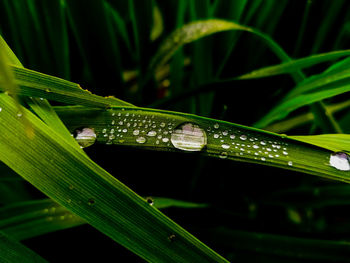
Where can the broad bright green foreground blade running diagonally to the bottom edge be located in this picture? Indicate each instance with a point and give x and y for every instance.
(69, 177)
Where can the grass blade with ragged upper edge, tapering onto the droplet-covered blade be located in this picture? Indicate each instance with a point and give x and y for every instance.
(35, 84)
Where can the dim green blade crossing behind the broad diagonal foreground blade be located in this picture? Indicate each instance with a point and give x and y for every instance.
(34, 218)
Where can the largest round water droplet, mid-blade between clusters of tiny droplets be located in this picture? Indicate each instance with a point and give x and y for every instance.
(189, 137)
